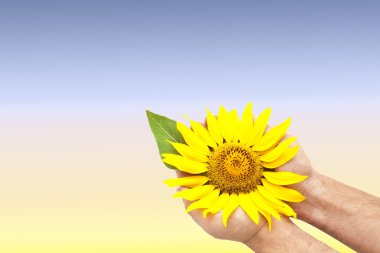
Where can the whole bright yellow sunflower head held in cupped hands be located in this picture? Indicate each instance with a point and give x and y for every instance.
(232, 164)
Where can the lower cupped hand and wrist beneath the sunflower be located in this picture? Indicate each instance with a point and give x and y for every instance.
(284, 236)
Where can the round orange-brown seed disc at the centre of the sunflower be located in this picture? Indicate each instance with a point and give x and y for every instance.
(234, 168)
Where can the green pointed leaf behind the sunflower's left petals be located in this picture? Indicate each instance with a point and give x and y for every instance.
(164, 130)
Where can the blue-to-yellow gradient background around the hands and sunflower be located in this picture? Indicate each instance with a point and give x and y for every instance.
(80, 171)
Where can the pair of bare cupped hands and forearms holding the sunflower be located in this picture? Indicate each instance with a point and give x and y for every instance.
(345, 213)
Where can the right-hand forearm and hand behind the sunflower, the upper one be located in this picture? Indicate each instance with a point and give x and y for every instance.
(348, 214)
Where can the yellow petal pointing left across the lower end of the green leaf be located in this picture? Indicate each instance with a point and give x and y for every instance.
(185, 164)
